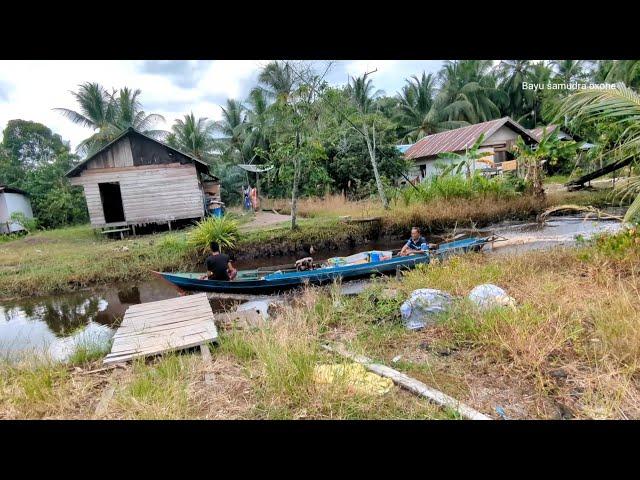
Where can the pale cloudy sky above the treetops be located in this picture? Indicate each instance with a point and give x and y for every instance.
(30, 90)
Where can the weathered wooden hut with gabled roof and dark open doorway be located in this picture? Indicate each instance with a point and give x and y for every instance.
(138, 180)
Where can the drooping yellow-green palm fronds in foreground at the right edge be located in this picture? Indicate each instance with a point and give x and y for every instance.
(620, 107)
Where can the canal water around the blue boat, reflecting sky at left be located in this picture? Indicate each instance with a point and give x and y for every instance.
(53, 326)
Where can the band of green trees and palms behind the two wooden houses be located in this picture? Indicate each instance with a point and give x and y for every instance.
(319, 137)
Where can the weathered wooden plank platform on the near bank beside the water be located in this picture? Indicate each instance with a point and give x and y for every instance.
(157, 327)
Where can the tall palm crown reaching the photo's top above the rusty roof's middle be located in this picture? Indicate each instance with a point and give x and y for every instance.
(469, 91)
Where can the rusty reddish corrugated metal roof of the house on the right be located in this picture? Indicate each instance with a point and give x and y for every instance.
(461, 138)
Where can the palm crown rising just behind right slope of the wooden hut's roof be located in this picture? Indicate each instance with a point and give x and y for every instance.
(192, 136)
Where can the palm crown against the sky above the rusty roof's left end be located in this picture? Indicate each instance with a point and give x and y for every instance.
(418, 114)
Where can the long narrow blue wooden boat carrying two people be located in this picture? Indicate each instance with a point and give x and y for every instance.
(257, 282)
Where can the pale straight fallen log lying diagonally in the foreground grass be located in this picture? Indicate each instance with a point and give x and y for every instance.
(411, 384)
